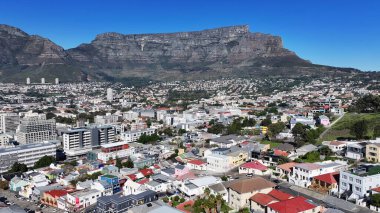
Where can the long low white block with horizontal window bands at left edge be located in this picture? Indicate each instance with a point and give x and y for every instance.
(27, 154)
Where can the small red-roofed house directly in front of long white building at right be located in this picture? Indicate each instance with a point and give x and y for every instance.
(326, 183)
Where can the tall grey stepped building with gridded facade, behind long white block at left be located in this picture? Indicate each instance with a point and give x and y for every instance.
(36, 128)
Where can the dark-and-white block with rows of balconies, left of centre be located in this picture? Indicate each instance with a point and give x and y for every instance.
(77, 142)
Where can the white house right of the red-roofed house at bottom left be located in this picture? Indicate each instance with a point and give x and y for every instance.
(81, 199)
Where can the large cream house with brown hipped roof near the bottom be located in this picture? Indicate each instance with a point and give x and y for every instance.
(240, 191)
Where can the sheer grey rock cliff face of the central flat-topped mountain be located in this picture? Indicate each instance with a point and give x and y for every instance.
(188, 51)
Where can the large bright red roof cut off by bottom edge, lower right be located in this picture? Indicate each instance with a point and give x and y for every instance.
(294, 205)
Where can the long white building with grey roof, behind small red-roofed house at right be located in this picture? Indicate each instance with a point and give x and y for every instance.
(303, 173)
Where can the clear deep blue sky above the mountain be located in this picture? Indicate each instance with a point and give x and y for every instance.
(342, 33)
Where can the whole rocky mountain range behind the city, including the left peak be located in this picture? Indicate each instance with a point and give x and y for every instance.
(222, 52)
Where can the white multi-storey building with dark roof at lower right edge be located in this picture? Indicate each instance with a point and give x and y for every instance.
(356, 183)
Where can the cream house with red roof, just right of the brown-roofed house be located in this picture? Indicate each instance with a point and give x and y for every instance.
(260, 201)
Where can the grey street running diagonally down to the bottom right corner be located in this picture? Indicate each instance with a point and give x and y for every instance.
(324, 200)
